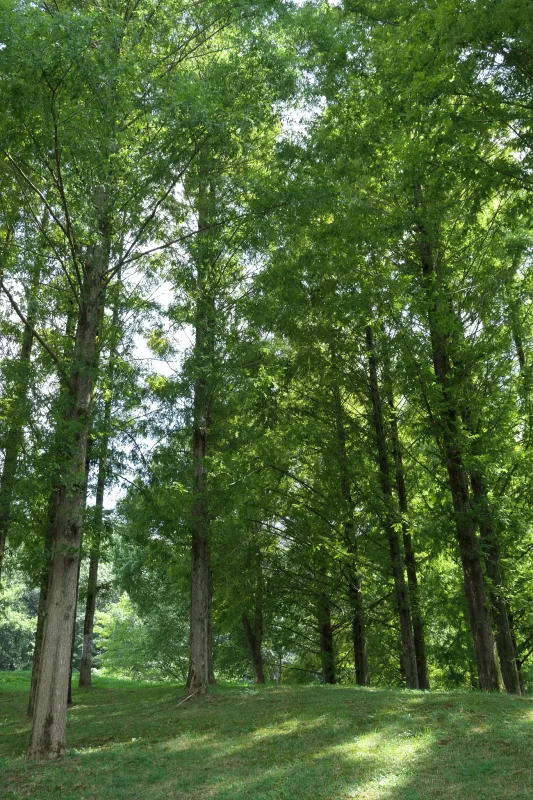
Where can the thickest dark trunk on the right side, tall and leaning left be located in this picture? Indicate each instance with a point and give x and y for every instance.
(446, 413)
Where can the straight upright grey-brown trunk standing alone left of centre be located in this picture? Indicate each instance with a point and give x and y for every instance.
(200, 653)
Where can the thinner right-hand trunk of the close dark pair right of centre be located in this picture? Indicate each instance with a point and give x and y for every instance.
(410, 559)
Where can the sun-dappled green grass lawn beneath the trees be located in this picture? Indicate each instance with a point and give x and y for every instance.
(138, 741)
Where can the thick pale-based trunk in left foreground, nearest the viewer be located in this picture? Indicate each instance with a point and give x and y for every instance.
(48, 738)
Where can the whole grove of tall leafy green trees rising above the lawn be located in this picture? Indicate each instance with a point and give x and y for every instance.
(267, 344)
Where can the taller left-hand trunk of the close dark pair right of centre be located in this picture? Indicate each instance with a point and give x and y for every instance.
(390, 520)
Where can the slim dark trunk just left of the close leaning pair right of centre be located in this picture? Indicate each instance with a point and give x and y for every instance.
(355, 584)
